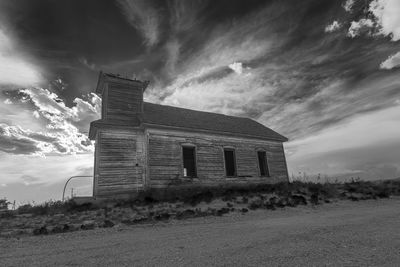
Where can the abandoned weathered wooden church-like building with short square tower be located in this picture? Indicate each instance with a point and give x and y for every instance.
(141, 145)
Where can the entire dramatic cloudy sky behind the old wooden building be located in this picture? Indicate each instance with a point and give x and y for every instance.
(323, 73)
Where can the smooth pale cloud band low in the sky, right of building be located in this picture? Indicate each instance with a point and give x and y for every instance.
(345, 149)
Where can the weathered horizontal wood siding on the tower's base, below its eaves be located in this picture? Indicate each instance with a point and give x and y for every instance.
(120, 162)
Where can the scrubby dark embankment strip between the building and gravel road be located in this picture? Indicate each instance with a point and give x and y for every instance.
(61, 217)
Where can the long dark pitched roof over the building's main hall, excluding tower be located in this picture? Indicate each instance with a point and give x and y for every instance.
(160, 115)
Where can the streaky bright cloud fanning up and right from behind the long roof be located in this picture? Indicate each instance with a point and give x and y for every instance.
(301, 82)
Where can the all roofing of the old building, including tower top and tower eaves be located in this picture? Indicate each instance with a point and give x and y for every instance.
(155, 115)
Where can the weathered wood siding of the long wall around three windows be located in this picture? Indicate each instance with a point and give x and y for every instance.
(165, 162)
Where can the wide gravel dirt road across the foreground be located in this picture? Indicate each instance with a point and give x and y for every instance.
(365, 233)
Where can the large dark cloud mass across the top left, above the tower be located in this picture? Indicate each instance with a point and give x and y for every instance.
(73, 40)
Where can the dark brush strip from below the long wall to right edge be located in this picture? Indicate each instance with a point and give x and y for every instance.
(313, 192)
